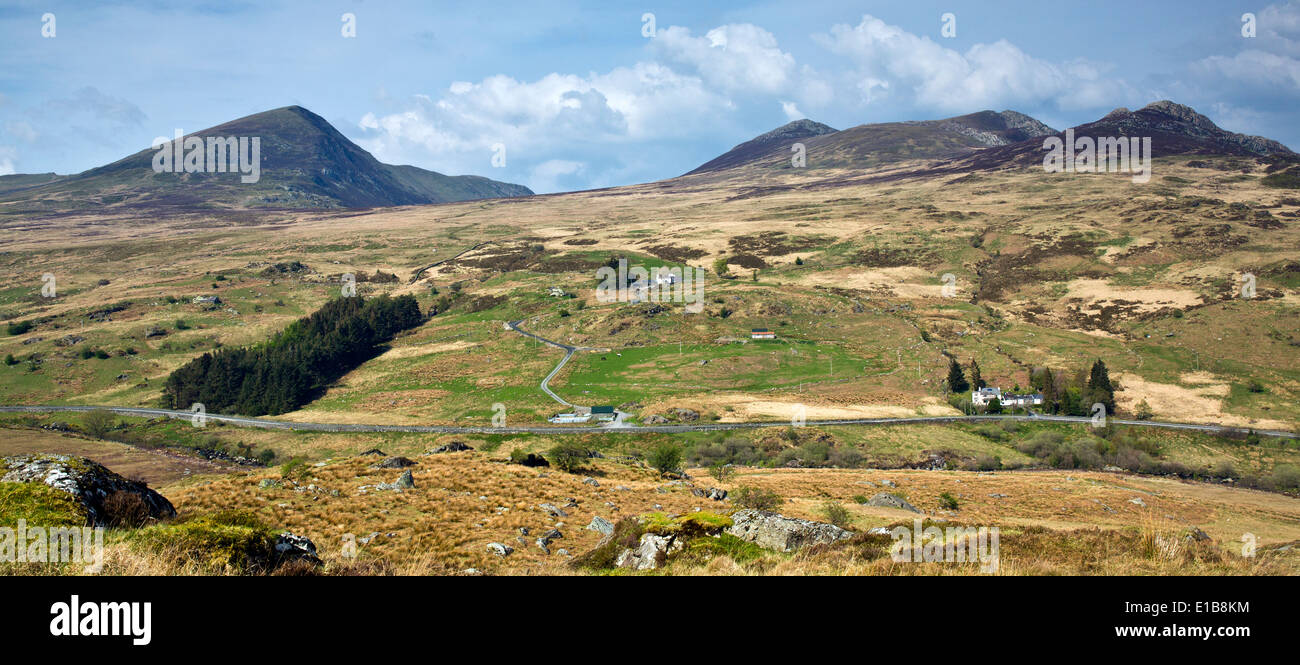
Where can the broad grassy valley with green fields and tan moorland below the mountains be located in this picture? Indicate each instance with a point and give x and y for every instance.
(898, 251)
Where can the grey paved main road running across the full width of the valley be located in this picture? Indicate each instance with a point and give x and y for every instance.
(630, 429)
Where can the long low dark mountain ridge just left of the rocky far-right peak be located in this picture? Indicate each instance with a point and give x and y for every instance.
(881, 144)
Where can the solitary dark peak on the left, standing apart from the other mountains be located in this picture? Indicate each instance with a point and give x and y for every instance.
(306, 163)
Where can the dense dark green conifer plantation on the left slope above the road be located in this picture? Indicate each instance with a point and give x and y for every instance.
(285, 372)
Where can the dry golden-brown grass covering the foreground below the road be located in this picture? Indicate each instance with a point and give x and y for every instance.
(1052, 523)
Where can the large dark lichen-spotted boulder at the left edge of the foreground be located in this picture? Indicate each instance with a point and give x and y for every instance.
(86, 480)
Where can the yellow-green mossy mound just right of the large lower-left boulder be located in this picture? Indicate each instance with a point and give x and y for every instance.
(226, 541)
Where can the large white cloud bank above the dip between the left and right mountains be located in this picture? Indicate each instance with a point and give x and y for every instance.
(557, 120)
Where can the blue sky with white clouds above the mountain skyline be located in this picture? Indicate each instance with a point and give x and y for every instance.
(574, 95)
